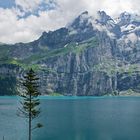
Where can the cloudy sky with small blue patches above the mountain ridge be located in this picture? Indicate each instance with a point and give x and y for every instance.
(25, 20)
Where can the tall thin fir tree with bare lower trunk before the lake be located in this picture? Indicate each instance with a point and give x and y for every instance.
(29, 103)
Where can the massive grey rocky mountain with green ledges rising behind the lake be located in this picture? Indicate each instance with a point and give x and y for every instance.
(91, 56)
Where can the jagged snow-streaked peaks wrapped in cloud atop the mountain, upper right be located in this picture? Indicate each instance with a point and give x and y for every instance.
(125, 24)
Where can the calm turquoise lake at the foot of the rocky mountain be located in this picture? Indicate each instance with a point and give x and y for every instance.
(75, 118)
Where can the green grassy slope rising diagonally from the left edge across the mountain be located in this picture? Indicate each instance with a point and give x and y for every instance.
(44, 54)
